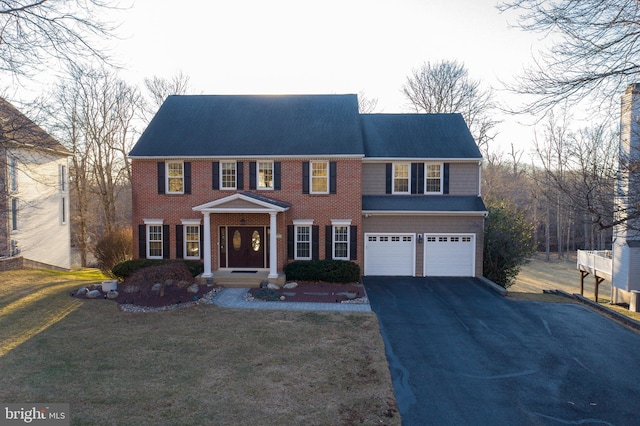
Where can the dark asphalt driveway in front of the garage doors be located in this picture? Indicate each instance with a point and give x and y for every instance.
(461, 354)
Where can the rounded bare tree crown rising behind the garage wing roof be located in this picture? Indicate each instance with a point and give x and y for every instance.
(445, 87)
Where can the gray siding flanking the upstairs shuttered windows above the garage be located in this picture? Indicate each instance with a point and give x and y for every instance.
(463, 178)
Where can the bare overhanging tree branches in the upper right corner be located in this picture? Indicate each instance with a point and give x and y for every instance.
(595, 50)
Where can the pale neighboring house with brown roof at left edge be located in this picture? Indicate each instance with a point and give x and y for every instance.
(34, 192)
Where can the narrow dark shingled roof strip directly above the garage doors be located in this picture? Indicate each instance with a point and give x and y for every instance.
(422, 203)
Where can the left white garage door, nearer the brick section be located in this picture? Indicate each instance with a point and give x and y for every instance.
(389, 254)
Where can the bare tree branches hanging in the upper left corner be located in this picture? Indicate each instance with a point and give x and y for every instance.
(35, 31)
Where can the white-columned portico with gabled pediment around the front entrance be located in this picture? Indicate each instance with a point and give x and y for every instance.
(241, 245)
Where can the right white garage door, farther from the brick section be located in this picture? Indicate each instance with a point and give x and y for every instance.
(449, 255)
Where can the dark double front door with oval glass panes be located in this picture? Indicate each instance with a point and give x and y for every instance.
(245, 247)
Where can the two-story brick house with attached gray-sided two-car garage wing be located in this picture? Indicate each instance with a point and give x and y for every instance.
(250, 183)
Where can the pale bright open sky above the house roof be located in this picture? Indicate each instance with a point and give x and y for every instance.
(329, 46)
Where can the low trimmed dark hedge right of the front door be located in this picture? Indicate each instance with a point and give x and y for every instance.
(333, 271)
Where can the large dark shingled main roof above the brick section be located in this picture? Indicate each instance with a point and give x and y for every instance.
(247, 125)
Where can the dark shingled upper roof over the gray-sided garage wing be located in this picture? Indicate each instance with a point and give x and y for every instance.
(439, 136)
